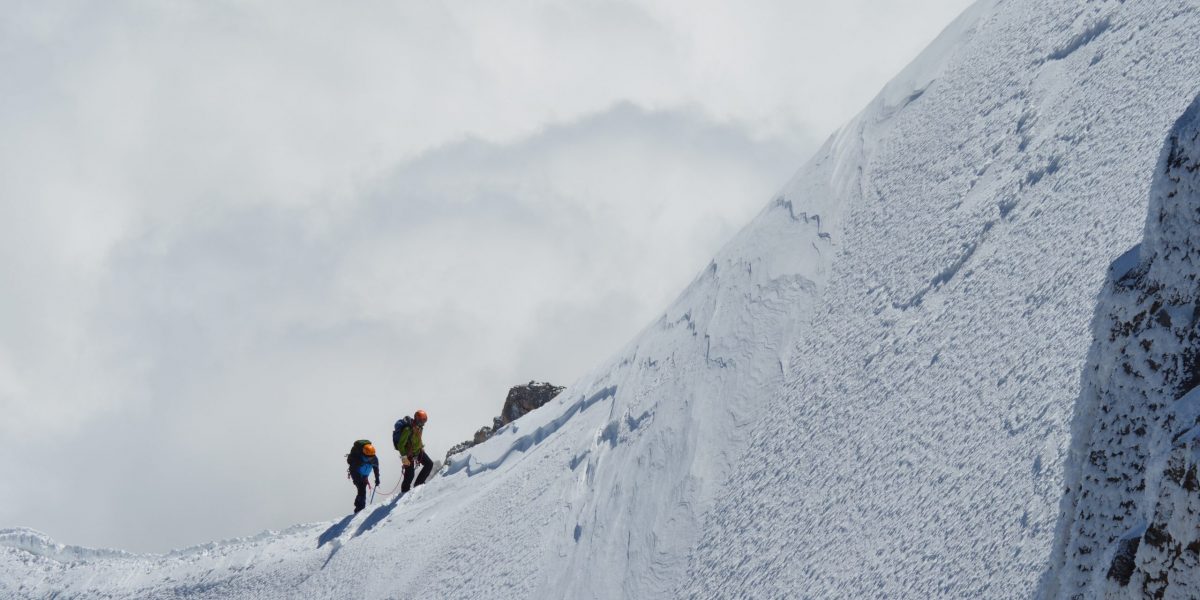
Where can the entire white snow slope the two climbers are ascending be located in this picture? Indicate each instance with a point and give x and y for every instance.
(867, 394)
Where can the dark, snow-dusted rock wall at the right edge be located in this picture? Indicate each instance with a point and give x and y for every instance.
(1131, 525)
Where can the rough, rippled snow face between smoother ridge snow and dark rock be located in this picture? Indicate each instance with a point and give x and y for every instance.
(919, 449)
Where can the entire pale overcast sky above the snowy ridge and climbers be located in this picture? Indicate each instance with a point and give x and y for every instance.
(236, 237)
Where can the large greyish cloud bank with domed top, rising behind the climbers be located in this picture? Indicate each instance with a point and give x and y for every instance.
(259, 340)
